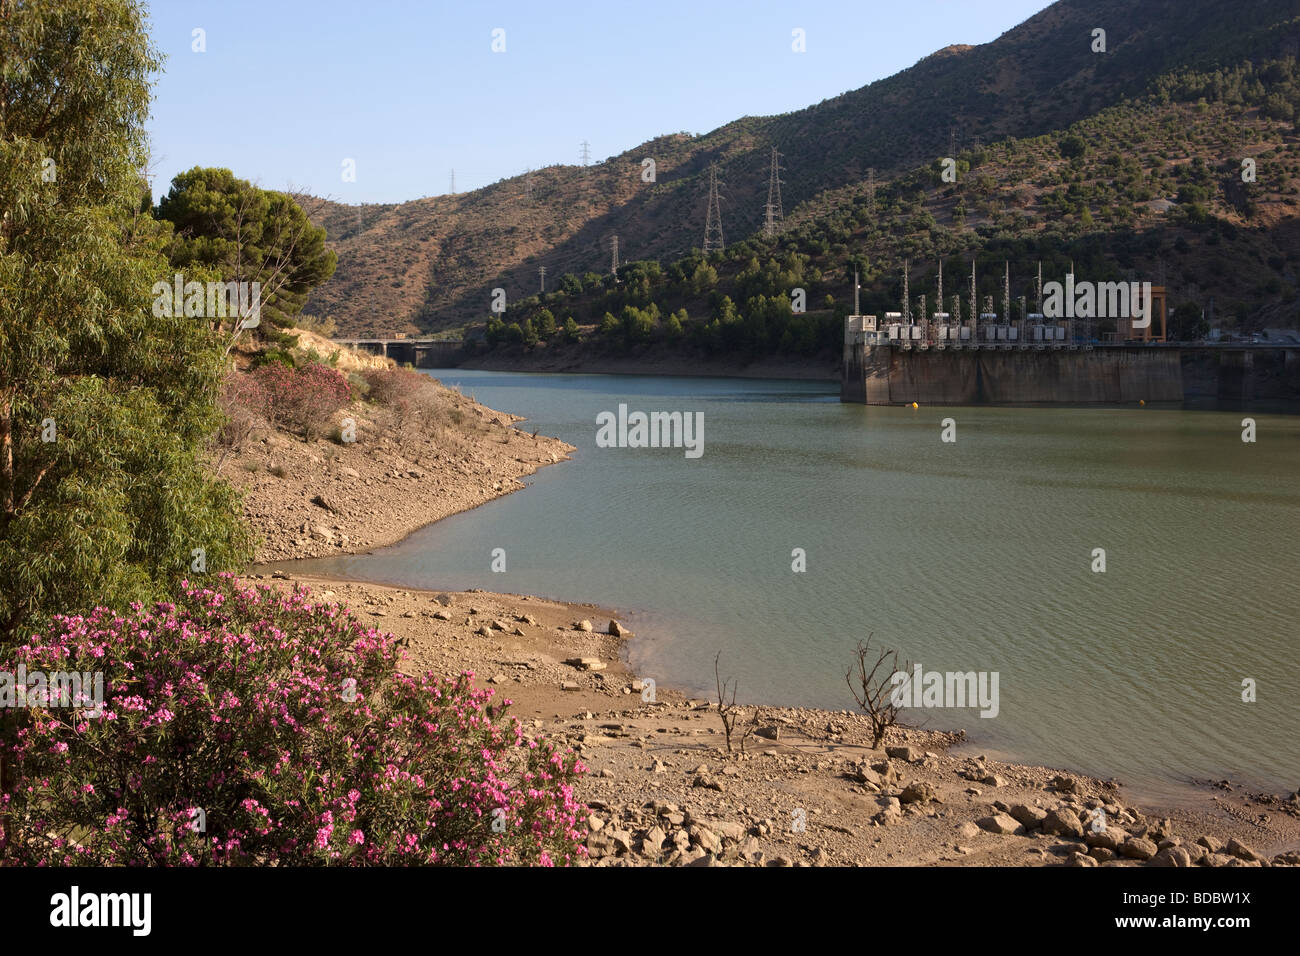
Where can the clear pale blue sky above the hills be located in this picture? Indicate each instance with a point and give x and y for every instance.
(411, 90)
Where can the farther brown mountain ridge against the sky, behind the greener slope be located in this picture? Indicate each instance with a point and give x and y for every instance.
(432, 263)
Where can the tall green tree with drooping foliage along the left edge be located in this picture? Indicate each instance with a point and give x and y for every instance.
(105, 409)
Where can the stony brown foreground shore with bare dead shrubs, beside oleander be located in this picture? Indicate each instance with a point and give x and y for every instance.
(809, 789)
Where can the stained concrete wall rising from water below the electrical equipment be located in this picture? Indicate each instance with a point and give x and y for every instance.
(882, 375)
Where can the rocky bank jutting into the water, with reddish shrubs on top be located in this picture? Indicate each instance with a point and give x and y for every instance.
(335, 462)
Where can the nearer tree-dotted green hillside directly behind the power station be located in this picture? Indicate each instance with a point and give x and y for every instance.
(1151, 189)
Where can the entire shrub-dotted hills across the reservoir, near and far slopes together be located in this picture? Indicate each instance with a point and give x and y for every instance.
(1063, 154)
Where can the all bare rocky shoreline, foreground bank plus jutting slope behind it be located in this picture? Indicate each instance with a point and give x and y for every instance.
(664, 789)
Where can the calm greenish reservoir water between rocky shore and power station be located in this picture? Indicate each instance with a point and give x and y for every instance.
(967, 556)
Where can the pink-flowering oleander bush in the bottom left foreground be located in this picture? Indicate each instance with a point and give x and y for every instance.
(291, 728)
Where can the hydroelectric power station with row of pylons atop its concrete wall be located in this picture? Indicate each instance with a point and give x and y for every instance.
(1060, 358)
